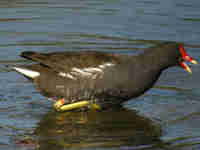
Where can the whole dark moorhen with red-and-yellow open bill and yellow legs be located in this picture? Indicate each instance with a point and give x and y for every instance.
(100, 80)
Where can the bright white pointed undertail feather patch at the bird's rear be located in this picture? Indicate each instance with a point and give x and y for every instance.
(29, 73)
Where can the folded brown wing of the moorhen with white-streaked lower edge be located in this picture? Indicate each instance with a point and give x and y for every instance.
(74, 64)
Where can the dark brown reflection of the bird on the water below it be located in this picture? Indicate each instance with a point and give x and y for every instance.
(95, 129)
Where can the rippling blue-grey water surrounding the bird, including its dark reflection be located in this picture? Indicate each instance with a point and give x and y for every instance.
(166, 117)
